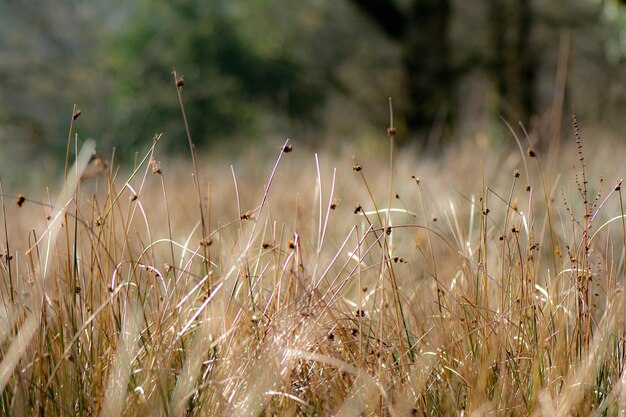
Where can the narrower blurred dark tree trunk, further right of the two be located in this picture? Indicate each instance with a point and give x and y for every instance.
(512, 65)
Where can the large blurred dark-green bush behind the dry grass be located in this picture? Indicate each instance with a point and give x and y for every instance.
(236, 79)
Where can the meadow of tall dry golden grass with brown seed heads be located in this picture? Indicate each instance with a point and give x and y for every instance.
(486, 281)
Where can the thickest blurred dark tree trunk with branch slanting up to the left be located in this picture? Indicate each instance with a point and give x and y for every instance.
(423, 32)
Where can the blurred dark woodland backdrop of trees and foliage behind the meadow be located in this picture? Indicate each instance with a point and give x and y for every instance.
(318, 71)
